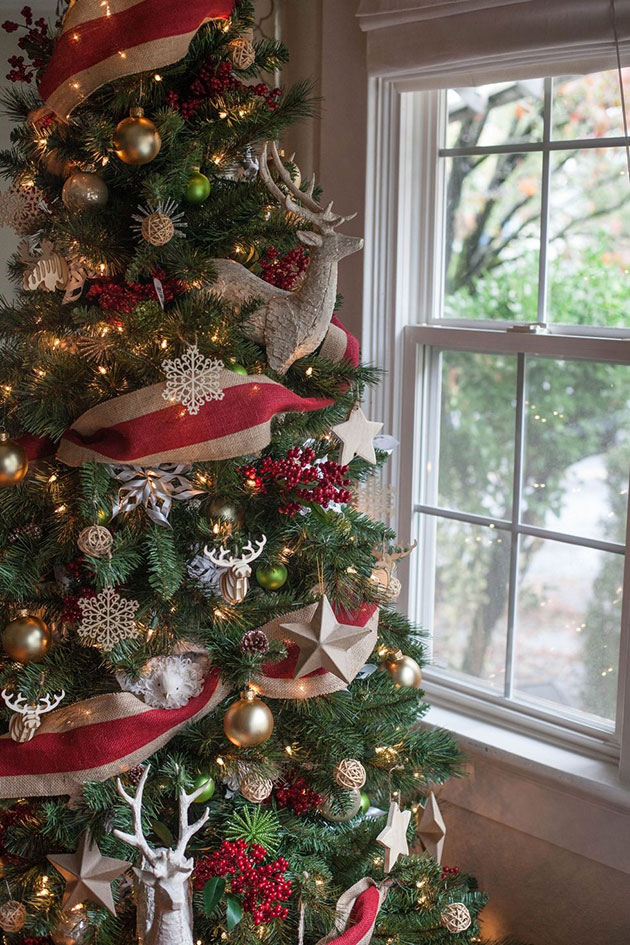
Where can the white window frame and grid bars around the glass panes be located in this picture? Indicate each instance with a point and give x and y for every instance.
(402, 293)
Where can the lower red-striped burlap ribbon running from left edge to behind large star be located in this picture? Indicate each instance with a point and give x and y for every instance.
(101, 737)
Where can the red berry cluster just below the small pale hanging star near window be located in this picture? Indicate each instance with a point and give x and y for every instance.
(299, 479)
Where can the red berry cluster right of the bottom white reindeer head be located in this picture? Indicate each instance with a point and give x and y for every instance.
(262, 885)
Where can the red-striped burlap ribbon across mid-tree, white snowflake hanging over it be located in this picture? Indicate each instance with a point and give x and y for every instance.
(139, 429)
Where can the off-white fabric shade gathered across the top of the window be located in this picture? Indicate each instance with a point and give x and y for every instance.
(470, 42)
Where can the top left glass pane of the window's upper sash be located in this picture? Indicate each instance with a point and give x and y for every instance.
(500, 113)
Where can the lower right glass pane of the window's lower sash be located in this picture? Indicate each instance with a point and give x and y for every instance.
(568, 620)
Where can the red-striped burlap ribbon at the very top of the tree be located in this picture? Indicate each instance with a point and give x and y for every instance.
(103, 40)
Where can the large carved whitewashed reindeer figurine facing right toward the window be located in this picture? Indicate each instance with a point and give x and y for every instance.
(292, 325)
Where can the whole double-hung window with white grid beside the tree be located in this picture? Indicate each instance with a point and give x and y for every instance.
(512, 301)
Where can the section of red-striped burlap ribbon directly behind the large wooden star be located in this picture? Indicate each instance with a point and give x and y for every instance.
(278, 680)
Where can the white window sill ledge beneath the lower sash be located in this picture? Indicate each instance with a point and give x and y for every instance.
(561, 767)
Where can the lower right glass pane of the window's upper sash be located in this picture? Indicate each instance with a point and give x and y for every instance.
(589, 238)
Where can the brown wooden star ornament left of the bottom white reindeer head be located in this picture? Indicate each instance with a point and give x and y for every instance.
(88, 875)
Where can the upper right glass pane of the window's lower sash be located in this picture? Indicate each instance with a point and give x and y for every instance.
(577, 447)
